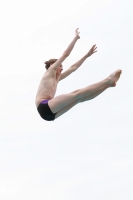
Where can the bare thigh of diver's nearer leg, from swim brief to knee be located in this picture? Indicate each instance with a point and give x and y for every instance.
(62, 101)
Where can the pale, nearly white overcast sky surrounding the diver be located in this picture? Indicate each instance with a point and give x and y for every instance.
(88, 152)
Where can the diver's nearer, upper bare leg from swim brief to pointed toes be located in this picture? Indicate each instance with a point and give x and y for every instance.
(60, 102)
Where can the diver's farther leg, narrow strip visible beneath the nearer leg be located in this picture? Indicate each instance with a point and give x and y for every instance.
(92, 96)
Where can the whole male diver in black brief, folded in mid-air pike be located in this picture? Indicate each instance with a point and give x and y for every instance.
(50, 107)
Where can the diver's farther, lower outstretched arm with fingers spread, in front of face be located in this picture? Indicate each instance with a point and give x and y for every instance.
(79, 63)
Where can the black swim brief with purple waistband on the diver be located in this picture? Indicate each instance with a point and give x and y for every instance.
(45, 111)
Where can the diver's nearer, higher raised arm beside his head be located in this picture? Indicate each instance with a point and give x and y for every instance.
(66, 52)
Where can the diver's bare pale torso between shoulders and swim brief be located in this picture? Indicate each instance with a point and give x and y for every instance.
(47, 87)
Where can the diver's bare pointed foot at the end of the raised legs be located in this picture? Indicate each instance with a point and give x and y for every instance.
(114, 77)
